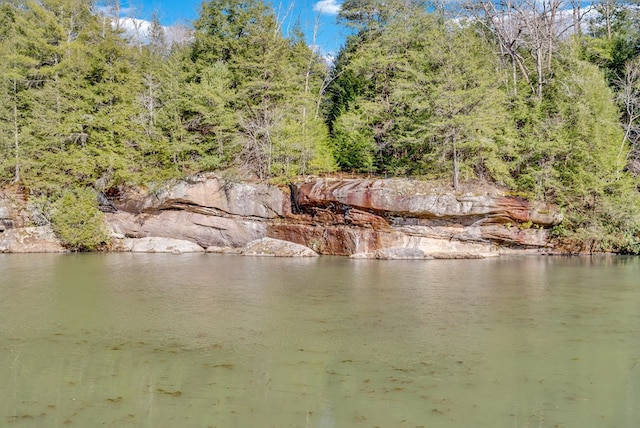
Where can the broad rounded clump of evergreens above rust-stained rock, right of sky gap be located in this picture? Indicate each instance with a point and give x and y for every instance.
(405, 101)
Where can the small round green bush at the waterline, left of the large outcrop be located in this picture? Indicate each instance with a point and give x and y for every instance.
(76, 220)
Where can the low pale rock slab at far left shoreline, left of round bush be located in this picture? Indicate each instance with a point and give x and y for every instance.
(39, 239)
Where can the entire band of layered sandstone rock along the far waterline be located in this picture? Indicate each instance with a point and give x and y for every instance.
(386, 219)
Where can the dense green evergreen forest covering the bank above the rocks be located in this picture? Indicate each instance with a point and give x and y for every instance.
(539, 97)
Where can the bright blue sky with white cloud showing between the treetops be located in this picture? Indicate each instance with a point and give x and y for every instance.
(330, 36)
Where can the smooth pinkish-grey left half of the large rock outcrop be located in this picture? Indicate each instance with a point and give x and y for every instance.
(206, 210)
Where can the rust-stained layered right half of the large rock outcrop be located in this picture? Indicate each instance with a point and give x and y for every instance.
(358, 216)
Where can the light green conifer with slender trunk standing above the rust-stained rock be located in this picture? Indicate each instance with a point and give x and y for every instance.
(467, 105)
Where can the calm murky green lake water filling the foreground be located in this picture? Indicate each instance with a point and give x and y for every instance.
(152, 340)
